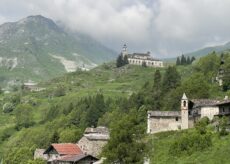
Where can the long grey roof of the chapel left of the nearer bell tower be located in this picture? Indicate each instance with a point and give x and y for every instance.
(164, 113)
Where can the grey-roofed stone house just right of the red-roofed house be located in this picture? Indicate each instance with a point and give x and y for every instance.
(93, 140)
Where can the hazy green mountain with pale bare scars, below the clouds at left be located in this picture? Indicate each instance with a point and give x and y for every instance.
(36, 48)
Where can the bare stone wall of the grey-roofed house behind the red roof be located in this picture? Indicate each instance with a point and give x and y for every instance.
(92, 147)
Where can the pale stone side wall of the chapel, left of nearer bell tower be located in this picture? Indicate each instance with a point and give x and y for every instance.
(158, 124)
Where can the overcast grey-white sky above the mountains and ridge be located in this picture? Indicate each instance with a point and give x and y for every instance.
(166, 28)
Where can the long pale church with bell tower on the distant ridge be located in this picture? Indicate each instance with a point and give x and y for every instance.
(141, 58)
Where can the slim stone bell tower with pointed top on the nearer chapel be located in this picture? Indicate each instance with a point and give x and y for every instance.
(184, 112)
